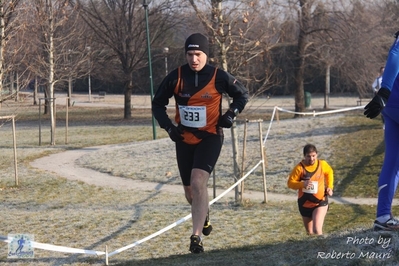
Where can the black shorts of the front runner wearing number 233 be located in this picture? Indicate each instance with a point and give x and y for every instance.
(203, 155)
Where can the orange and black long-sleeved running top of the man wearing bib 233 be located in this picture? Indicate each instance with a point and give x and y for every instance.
(198, 97)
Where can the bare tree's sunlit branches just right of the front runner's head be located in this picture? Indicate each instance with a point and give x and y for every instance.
(242, 36)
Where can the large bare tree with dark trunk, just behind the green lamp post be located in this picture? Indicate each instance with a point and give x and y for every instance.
(120, 26)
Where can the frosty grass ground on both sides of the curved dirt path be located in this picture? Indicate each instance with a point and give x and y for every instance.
(74, 214)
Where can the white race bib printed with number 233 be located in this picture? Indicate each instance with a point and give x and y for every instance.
(192, 116)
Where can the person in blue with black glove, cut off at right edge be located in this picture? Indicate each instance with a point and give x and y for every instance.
(386, 102)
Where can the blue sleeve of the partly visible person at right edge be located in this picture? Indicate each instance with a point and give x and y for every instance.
(391, 67)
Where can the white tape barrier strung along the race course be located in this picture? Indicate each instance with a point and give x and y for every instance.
(93, 252)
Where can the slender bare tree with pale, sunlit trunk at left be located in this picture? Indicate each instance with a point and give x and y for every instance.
(55, 30)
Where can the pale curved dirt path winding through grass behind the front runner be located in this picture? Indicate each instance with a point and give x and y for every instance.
(64, 165)
